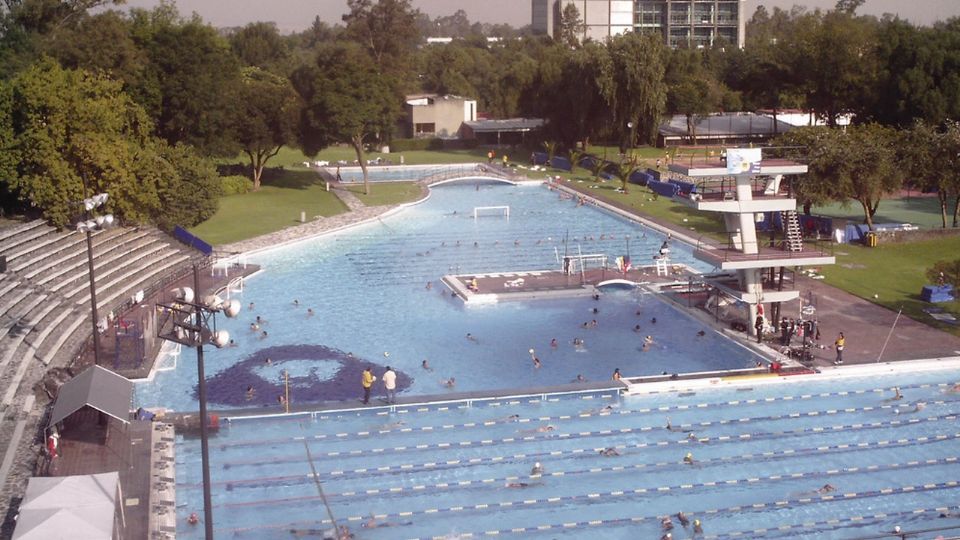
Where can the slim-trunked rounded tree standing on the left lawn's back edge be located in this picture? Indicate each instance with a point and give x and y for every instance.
(267, 114)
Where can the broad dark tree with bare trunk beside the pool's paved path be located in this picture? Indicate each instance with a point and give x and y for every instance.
(345, 100)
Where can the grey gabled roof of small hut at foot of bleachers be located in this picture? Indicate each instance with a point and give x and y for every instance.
(96, 387)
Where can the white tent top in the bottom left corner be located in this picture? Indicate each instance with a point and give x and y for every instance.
(70, 507)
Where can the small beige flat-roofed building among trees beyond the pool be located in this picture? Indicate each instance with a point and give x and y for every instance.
(432, 115)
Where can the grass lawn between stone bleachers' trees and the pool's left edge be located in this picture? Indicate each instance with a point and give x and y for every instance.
(277, 205)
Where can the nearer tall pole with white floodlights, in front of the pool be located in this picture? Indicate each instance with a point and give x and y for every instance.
(192, 322)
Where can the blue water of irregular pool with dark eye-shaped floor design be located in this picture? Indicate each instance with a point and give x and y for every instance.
(367, 286)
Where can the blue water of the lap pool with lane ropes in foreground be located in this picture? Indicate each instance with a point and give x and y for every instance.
(760, 454)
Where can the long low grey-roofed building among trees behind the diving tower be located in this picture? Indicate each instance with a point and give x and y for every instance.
(723, 128)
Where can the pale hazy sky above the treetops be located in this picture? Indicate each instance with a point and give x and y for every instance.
(292, 15)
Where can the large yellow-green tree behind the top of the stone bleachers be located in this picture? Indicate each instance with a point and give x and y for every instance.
(77, 134)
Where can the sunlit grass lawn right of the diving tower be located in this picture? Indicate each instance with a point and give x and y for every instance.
(895, 273)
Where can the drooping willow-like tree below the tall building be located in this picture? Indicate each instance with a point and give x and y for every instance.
(638, 95)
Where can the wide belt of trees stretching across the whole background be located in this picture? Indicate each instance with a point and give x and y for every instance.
(185, 85)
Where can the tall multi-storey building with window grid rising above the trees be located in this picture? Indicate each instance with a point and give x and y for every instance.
(682, 23)
